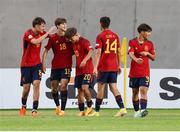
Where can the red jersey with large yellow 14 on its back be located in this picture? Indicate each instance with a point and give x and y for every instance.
(108, 41)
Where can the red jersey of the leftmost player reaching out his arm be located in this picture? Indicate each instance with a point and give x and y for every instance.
(31, 52)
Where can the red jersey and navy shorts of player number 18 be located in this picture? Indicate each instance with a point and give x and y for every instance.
(62, 60)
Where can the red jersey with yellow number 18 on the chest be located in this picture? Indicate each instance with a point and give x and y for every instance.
(62, 50)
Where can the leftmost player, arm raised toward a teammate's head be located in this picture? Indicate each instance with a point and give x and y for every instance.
(31, 62)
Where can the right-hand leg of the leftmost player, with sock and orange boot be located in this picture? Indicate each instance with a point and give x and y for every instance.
(36, 93)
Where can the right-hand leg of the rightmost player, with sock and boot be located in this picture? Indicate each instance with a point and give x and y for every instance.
(143, 101)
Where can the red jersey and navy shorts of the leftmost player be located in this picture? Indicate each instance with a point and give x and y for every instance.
(31, 63)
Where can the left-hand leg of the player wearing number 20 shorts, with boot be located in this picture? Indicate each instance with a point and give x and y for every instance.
(81, 102)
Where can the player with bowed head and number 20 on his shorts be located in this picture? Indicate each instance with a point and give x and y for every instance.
(84, 68)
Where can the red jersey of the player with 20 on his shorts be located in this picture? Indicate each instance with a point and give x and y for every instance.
(81, 50)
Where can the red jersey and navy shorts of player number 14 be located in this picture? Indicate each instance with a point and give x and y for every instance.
(108, 66)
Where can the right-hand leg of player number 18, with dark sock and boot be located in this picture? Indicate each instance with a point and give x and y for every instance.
(63, 89)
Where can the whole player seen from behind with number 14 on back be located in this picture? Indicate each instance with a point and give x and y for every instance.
(107, 65)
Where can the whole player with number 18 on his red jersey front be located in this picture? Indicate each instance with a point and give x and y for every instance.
(61, 64)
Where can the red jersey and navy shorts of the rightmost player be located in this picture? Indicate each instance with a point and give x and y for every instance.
(140, 73)
